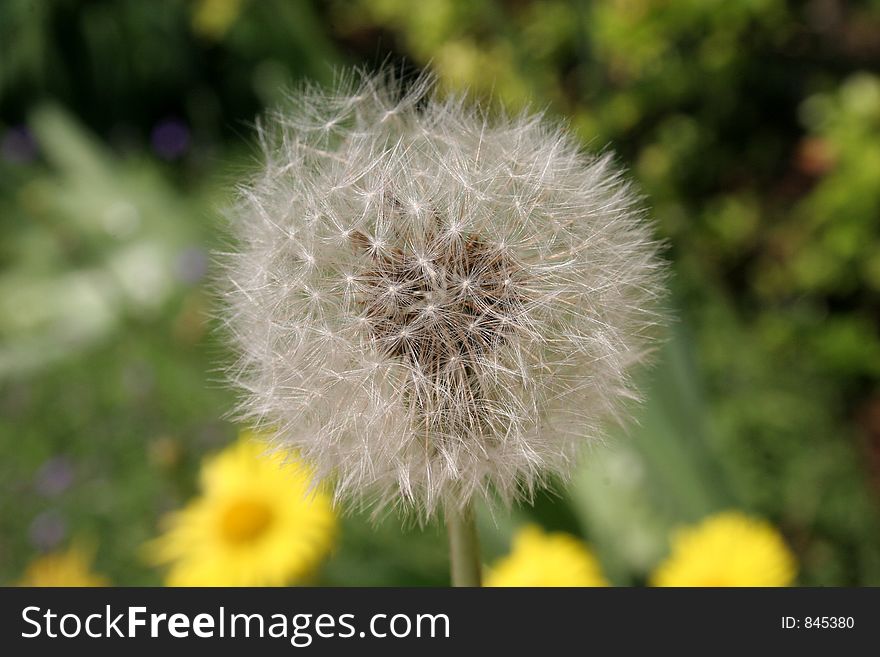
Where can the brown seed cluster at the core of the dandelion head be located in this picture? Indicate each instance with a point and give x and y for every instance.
(440, 306)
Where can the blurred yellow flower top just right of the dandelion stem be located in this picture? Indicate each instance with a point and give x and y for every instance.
(546, 559)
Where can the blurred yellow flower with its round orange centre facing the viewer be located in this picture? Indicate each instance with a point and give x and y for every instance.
(257, 523)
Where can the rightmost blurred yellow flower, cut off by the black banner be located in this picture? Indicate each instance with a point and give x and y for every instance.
(727, 549)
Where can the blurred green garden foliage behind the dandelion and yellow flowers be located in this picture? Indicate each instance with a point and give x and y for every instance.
(753, 127)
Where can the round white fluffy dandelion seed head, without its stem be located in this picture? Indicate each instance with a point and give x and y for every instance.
(432, 305)
